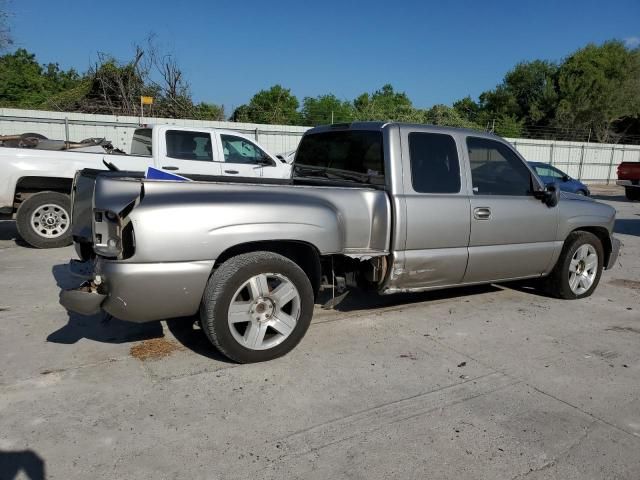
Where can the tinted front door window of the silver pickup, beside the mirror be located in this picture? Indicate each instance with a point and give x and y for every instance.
(496, 169)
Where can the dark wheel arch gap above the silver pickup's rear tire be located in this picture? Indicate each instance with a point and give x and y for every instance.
(304, 254)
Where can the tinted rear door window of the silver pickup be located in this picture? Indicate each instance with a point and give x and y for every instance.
(435, 167)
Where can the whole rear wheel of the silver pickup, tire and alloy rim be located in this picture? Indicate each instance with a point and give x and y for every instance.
(256, 307)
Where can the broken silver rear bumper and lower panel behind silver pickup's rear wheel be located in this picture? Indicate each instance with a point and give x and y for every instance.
(137, 292)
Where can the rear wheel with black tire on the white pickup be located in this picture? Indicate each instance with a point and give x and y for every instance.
(35, 237)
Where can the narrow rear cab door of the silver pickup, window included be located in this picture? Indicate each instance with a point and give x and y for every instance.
(437, 211)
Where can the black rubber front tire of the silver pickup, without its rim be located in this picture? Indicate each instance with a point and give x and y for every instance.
(557, 283)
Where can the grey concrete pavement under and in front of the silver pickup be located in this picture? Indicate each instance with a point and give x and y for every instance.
(490, 382)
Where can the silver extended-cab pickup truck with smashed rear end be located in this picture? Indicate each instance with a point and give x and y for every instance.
(386, 206)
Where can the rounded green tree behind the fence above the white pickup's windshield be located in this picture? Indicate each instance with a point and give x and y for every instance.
(274, 106)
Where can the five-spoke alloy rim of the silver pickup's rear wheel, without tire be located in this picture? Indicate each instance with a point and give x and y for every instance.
(264, 311)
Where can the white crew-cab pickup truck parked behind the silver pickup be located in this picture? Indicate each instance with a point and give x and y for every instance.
(35, 185)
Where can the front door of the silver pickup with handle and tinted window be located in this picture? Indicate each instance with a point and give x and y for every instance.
(513, 234)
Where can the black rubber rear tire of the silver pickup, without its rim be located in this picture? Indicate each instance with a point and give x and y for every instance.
(225, 282)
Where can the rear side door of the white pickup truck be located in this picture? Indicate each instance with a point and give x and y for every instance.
(188, 152)
